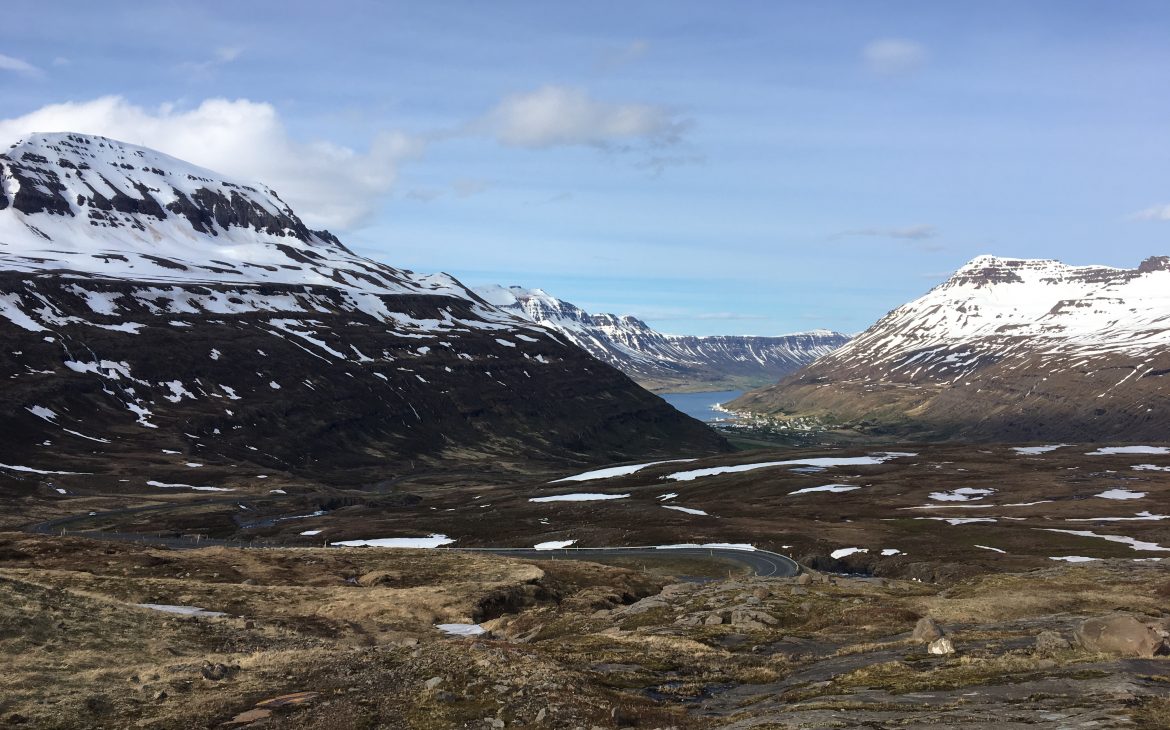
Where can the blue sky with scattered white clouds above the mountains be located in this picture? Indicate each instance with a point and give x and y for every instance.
(751, 168)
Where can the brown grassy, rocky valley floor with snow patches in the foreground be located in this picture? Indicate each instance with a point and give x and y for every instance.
(1010, 548)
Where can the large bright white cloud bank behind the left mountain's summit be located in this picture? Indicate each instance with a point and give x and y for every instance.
(328, 185)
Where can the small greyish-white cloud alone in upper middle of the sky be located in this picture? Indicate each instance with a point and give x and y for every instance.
(563, 116)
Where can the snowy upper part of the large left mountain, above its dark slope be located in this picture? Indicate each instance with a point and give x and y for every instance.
(105, 208)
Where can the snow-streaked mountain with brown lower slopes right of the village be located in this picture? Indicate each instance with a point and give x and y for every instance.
(1007, 348)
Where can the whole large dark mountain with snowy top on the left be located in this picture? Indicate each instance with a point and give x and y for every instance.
(148, 306)
